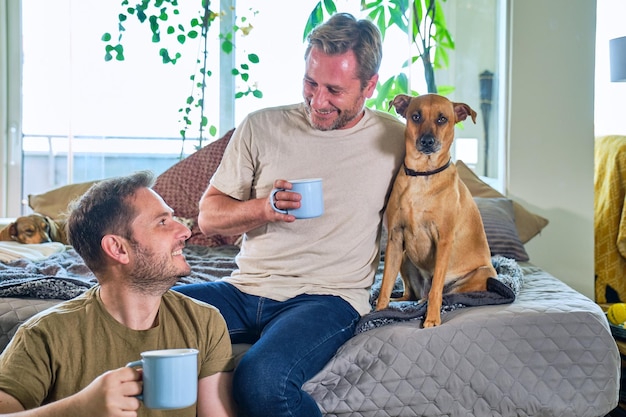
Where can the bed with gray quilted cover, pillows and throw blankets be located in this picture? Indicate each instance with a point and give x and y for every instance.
(530, 346)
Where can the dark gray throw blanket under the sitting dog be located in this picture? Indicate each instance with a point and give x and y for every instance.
(500, 290)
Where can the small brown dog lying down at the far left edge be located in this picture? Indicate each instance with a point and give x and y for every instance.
(34, 228)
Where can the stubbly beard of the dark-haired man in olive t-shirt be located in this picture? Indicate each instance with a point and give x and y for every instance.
(153, 275)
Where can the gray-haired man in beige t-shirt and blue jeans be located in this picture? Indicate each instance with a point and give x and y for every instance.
(302, 285)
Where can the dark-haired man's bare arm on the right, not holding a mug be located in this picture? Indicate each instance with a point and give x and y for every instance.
(215, 397)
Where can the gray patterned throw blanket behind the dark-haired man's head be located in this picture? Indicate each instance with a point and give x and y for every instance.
(64, 275)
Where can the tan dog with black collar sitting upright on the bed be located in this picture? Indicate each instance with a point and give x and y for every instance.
(436, 236)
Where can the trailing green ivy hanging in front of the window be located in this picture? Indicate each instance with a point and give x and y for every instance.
(164, 20)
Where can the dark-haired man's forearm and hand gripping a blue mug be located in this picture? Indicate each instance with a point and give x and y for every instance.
(109, 395)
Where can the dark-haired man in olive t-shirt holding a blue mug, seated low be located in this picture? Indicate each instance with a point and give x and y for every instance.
(69, 360)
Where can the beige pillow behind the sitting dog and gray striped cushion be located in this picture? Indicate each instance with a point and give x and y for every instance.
(528, 224)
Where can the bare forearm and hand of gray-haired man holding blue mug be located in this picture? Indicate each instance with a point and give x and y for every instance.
(222, 214)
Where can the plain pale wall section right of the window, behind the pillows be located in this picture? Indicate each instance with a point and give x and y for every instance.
(551, 130)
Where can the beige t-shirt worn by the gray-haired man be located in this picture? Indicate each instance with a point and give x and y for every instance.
(337, 253)
